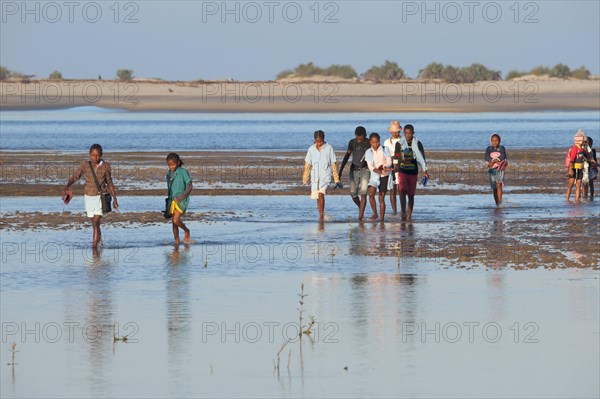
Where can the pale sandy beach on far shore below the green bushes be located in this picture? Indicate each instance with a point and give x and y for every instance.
(302, 96)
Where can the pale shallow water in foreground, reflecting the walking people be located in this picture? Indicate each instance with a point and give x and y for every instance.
(208, 320)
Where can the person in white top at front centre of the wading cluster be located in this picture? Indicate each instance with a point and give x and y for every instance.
(379, 161)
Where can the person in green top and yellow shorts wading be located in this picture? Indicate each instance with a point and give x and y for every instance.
(179, 186)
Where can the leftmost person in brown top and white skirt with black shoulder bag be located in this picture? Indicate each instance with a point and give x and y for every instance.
(93, 204)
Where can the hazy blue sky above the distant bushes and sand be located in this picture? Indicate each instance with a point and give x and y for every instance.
(183, 40)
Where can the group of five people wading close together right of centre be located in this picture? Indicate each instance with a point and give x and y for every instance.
(375, 168)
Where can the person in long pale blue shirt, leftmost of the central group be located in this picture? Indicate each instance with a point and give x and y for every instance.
(321, 168)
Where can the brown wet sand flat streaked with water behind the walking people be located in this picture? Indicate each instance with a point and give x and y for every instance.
(276, 173)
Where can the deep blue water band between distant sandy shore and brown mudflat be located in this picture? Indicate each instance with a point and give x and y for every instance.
(75, 129)
